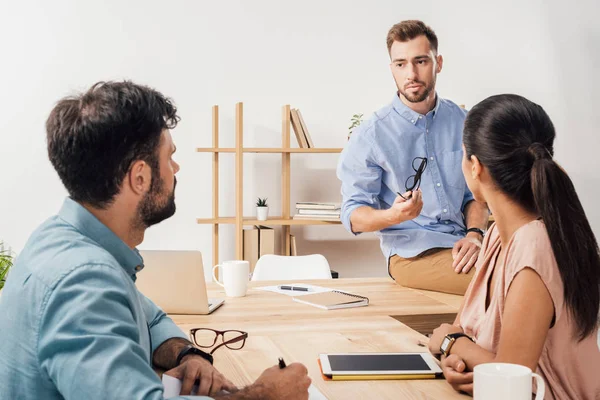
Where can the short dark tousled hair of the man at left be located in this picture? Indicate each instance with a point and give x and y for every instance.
(93, 138)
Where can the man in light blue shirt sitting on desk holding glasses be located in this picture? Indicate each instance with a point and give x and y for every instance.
(430, 234)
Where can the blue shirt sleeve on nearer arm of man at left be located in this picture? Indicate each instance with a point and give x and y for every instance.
(88, 338)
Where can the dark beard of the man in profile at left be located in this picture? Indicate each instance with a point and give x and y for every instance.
(154, 208)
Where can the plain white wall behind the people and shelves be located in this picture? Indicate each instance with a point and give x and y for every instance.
(326, 57)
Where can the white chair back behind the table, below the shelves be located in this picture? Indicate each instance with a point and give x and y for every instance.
(272, 267)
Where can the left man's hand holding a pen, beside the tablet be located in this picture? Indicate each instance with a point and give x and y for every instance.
(290, 383)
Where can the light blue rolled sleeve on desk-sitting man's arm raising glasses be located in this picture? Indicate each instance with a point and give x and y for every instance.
(360, 174)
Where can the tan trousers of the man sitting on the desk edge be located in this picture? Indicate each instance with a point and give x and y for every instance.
(430, 270)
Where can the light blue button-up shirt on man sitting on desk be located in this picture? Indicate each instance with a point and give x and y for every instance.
(377, 161)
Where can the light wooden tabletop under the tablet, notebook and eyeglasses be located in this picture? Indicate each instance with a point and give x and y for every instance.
(280, 327)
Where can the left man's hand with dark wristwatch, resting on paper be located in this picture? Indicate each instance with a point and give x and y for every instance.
(195, 368)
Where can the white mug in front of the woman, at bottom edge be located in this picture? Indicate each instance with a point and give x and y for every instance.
(500, 381)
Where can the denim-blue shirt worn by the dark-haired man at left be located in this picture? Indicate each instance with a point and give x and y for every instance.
(72, 323)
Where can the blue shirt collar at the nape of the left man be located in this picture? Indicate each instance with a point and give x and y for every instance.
(86, 223)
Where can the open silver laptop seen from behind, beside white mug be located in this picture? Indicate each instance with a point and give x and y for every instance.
(174, 281)
